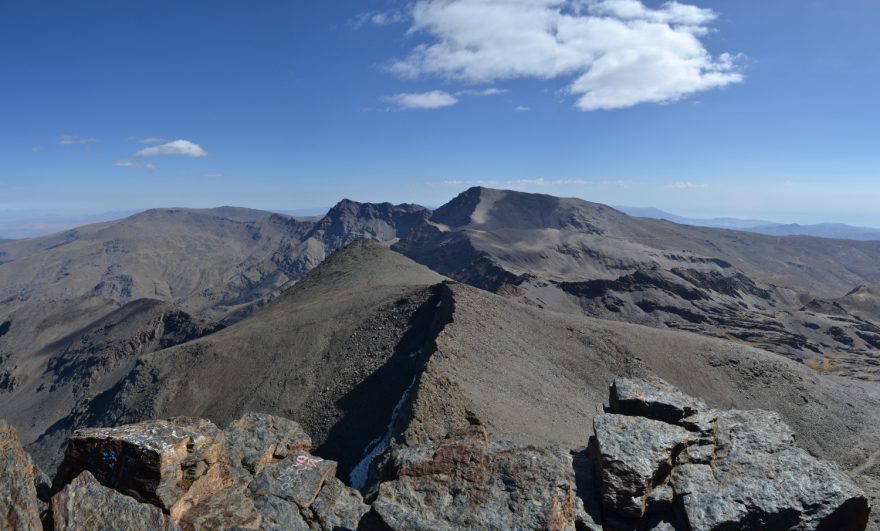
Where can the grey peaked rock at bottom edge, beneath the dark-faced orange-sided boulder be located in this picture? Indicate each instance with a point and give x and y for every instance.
(86, 504)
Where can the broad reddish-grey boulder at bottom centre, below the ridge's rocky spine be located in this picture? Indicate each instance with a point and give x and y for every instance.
(468, 484)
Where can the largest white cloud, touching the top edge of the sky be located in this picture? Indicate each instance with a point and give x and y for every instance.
(617, 53)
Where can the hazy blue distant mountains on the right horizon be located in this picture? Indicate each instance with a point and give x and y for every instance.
(821, 230)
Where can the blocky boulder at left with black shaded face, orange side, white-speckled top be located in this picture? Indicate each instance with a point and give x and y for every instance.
(155, 461)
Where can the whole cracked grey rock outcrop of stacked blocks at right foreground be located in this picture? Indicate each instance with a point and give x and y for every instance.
(704, 469)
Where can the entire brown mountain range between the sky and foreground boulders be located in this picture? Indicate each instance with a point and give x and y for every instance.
(380, 326)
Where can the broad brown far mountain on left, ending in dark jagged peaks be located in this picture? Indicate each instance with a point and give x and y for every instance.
(212, 263)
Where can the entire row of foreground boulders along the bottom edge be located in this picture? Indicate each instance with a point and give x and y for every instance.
(657, 459)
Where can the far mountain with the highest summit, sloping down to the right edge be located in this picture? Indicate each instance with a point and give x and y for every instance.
(574, 256)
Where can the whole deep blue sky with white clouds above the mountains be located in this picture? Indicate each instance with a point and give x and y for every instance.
(741, 108)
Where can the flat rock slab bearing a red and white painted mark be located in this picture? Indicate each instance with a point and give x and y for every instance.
(297, 479)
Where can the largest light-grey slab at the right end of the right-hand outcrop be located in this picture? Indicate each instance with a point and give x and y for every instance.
(758, 479)
